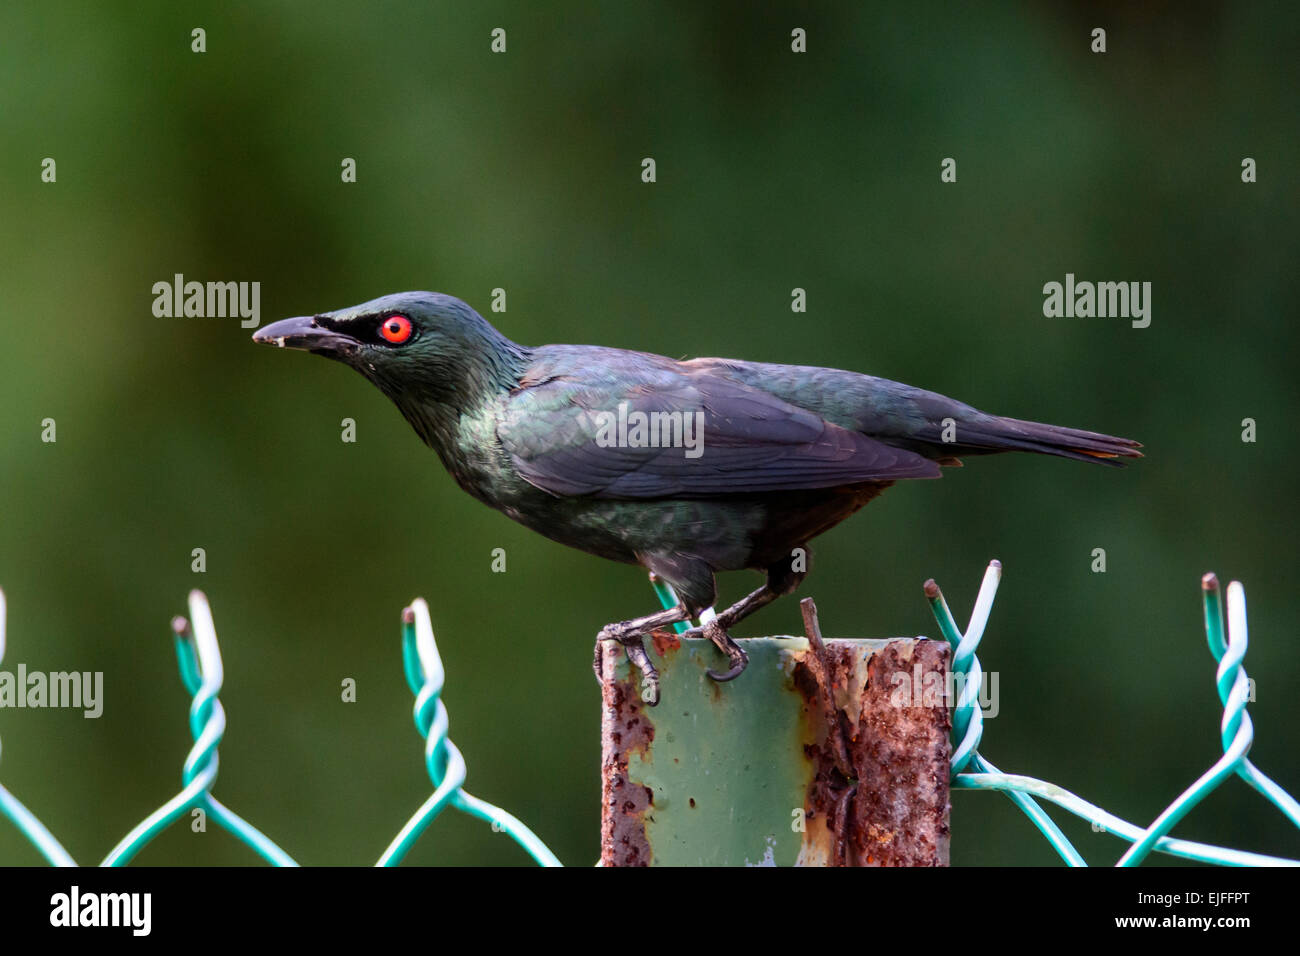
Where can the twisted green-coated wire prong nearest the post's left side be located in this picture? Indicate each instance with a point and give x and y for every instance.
(447, 767)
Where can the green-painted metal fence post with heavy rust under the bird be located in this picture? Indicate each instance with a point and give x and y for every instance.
(824, 754)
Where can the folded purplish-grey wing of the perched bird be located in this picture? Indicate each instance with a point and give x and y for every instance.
(701, 435)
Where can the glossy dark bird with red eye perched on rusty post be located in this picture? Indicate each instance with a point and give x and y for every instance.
(687, 468)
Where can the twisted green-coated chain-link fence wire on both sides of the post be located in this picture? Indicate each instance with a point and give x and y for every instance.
(200, 661)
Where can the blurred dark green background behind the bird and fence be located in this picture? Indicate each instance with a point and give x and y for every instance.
(522, 171)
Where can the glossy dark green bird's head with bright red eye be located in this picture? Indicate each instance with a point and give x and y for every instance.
(423, 351)
